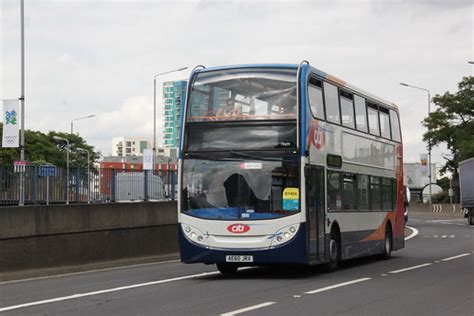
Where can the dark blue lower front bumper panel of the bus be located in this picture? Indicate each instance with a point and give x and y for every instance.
(293, 252)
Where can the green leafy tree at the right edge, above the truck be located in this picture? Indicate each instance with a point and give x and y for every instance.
(452, 123)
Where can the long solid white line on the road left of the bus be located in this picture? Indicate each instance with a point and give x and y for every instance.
(121, 288)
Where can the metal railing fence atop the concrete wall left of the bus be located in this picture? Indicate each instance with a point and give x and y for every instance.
(100, 186)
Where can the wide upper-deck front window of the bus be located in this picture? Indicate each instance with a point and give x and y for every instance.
(243, 94)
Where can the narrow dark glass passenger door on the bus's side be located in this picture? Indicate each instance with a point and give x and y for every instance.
(315, 217)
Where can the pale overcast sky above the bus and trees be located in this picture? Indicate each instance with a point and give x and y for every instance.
(99, 57)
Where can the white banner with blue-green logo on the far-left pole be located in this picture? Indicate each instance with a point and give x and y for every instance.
(11, 118)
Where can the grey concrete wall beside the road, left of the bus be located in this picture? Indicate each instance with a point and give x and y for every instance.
(34, 237)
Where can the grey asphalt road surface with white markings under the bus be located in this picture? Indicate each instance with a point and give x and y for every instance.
(433, 275)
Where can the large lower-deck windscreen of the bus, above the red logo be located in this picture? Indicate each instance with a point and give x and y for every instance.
(240, 189)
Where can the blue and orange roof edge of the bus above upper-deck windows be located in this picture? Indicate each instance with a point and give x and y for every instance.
(316, 71)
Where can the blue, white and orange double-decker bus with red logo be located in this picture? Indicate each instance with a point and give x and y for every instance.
(286, 164)
